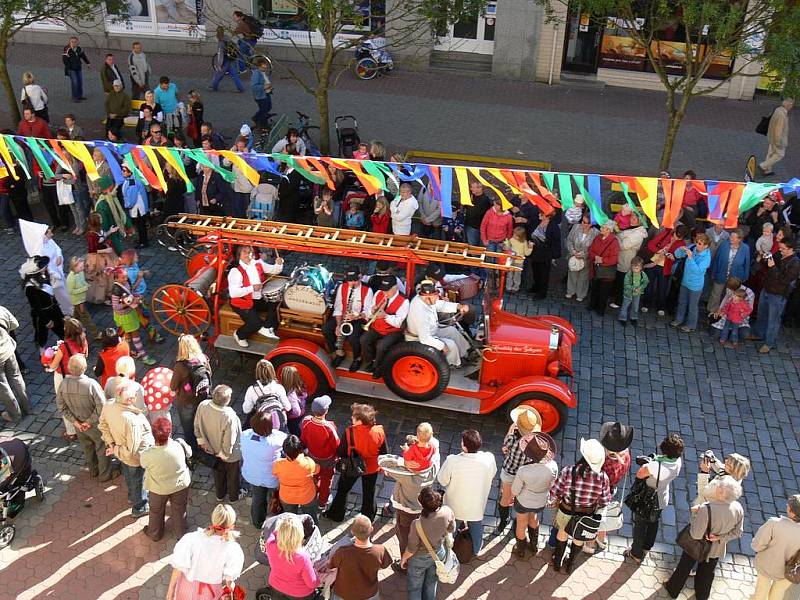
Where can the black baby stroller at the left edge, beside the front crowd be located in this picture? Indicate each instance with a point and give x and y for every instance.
(17, 477)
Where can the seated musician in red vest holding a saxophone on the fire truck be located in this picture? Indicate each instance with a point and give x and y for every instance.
(350, 308)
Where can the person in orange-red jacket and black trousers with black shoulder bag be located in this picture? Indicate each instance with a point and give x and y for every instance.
(367, 438)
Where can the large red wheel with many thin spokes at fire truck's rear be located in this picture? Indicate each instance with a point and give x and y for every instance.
(180, 309)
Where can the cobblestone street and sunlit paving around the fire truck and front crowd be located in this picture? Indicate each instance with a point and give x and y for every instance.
(653, 378)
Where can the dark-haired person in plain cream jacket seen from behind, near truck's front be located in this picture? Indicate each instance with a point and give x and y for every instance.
(468, 479)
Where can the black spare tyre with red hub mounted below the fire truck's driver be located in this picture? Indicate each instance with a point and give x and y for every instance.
(415, 371)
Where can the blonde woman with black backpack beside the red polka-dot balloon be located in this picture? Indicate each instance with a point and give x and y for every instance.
(191, 382)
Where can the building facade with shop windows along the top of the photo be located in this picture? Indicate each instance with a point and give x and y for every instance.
(511, 40)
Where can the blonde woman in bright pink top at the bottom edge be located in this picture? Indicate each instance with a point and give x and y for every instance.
(291, 570)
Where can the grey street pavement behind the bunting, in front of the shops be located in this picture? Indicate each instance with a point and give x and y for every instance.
(611, 131)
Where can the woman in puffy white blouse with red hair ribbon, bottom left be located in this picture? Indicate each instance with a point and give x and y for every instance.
(205, 560)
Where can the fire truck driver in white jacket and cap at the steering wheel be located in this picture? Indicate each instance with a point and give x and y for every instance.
(423, 323)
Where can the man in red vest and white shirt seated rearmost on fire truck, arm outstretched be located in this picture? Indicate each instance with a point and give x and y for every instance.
(245, 287)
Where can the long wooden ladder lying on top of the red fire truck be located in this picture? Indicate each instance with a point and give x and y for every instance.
(328, 240)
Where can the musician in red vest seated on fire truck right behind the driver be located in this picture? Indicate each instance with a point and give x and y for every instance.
(385, 326)
